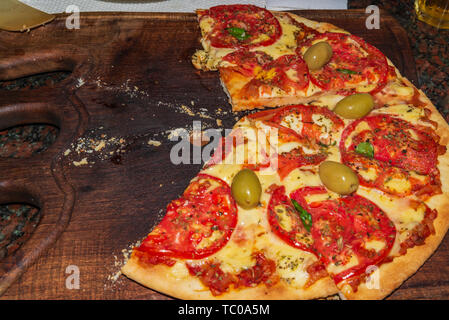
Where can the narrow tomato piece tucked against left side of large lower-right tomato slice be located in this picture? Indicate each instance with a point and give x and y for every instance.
(285, 221)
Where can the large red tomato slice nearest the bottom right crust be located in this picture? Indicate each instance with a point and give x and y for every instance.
(344, 228)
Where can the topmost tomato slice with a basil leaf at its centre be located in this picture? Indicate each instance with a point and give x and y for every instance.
(259, 26)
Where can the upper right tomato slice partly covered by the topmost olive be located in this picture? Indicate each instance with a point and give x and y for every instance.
(353, 62)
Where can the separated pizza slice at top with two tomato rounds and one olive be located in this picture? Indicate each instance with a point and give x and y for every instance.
(270, 59)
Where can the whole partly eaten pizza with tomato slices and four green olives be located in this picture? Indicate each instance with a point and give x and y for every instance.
(339, 187)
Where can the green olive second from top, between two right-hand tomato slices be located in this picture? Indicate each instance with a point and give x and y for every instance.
(355, 106)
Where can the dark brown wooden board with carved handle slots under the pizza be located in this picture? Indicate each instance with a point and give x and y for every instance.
(105, 182)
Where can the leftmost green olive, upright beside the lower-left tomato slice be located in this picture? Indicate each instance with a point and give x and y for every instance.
(246, 189)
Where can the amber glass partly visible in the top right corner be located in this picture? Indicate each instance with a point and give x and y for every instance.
(433, 12)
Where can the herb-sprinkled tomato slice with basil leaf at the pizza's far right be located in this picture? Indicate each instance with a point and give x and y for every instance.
(399, 148)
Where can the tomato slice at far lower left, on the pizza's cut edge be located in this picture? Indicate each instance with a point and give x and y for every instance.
(196, 225)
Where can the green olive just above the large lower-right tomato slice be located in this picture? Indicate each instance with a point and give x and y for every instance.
(338, 178)
